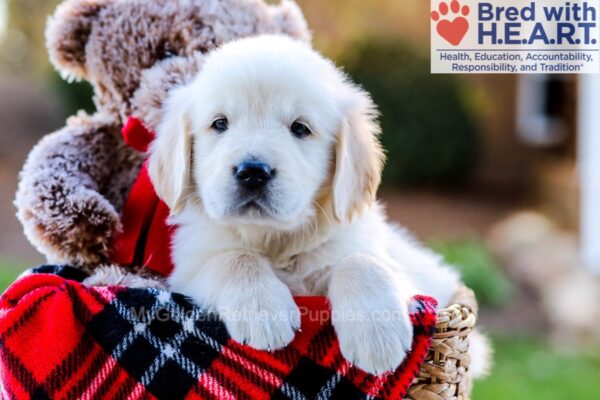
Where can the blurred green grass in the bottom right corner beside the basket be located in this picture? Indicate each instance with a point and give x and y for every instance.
(527, 368)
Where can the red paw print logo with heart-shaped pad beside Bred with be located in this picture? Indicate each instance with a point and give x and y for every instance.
(451, 22)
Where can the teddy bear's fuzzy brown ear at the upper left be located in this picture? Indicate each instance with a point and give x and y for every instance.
(67, 34)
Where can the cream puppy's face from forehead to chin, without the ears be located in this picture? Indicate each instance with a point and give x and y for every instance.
(261, 143)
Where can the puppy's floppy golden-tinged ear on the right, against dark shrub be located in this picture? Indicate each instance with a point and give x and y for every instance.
(359, 157)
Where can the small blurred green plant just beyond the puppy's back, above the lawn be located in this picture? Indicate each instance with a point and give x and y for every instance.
(478, 270)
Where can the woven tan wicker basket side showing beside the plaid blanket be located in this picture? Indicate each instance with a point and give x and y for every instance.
(445, 373)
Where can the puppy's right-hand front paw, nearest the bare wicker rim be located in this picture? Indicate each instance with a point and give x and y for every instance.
(374, 339)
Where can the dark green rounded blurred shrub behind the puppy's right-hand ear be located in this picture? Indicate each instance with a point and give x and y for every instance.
(428, 131)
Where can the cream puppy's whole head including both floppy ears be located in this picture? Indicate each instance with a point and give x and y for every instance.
(258, 134)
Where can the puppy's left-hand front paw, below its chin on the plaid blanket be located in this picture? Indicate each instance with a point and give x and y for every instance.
(265, 317)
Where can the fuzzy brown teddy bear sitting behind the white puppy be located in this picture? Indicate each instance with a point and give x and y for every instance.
(75, 181)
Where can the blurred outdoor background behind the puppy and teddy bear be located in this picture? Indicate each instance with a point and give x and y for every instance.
(458, 175)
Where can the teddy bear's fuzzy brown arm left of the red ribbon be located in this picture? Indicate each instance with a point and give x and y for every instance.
(72, 187)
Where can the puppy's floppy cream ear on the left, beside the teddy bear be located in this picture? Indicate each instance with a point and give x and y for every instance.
(170, 161)
